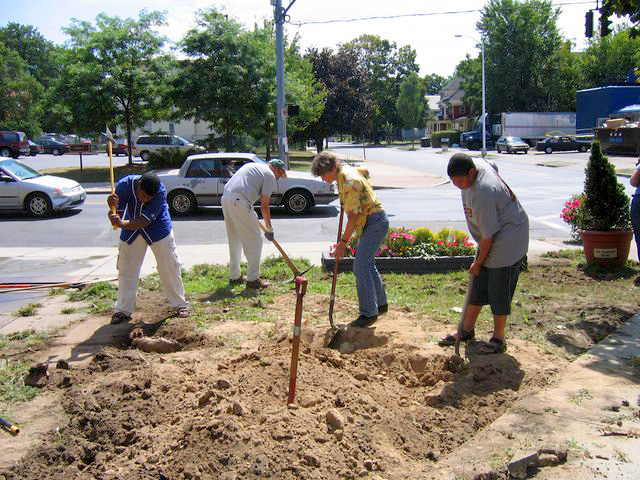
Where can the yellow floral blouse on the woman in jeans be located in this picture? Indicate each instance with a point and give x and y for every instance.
(357, 195)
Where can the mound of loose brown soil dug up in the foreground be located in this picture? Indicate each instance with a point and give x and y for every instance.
(387, 404)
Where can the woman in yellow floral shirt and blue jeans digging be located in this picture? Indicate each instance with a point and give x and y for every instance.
(366, 219)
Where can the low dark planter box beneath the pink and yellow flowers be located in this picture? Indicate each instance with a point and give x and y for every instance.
(403, 264)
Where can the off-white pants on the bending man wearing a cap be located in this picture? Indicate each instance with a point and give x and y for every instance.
(243, 234)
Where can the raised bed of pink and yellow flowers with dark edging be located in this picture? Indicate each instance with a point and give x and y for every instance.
(413, 251)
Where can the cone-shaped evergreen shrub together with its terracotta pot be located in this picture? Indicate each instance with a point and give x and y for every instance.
(606, 227)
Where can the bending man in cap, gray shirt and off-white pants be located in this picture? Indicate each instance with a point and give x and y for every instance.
(251, 182)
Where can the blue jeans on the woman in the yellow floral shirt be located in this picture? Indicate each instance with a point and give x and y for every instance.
(369, 283)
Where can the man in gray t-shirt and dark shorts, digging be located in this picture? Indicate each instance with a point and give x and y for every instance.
(500, 226)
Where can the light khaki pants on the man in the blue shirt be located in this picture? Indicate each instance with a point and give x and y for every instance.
(130, 259)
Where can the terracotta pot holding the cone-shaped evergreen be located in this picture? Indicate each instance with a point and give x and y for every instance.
(606, 248)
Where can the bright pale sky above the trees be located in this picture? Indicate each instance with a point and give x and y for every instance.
(432, 36)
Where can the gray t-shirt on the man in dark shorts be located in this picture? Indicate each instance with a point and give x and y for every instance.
(491, 212)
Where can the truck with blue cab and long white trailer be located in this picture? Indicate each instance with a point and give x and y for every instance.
(529, 126)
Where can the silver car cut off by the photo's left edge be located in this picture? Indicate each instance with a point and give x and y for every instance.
(24, 188)
